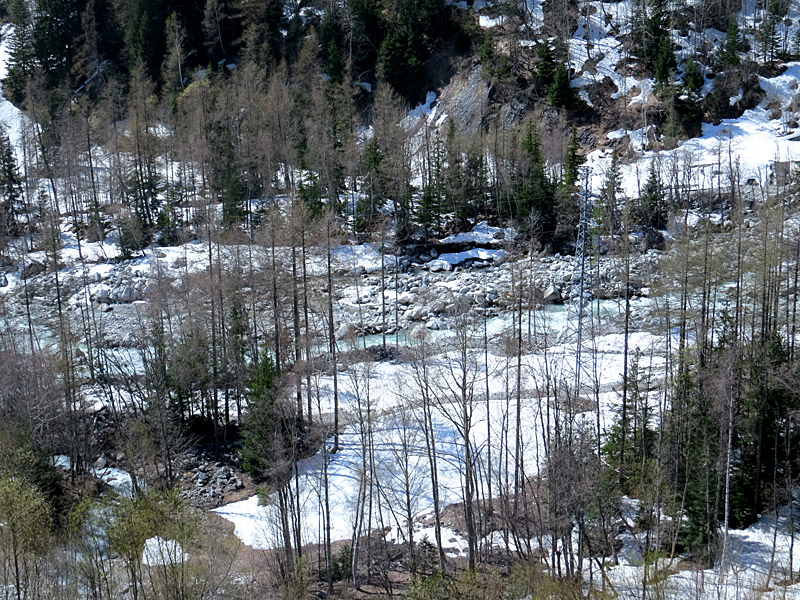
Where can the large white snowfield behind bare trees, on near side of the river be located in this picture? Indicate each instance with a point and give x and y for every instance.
(388, 391)
